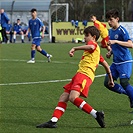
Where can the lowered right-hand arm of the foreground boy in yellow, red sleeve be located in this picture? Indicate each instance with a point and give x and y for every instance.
(107, 69)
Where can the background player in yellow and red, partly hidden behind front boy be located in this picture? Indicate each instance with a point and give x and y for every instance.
(103, 31)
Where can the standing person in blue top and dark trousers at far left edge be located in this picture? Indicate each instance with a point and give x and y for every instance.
(4, 23)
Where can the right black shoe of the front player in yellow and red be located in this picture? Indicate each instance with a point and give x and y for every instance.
(100, 119)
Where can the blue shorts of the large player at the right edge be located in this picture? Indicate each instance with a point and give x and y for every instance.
(121, 71)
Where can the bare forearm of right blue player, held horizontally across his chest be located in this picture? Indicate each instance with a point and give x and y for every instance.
(127, 44)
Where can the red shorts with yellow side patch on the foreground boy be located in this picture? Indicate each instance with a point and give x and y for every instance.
(80, 83)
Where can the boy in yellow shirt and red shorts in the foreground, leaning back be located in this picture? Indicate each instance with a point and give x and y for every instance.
(80, 83)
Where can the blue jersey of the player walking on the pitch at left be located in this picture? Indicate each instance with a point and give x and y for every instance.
(35, 27)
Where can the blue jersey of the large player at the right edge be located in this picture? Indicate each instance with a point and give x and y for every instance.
(121, 54)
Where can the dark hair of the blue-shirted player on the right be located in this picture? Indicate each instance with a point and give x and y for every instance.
(112, 13)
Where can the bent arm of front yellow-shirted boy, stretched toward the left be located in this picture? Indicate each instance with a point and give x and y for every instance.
(84, 47)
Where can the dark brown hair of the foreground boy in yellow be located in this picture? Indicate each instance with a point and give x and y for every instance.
(93, 31)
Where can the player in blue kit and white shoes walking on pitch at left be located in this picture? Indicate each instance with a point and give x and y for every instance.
(35, 26)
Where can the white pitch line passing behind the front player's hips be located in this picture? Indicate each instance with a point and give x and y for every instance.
(42, 82)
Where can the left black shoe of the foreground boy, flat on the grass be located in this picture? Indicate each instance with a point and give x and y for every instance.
(48, 124)
